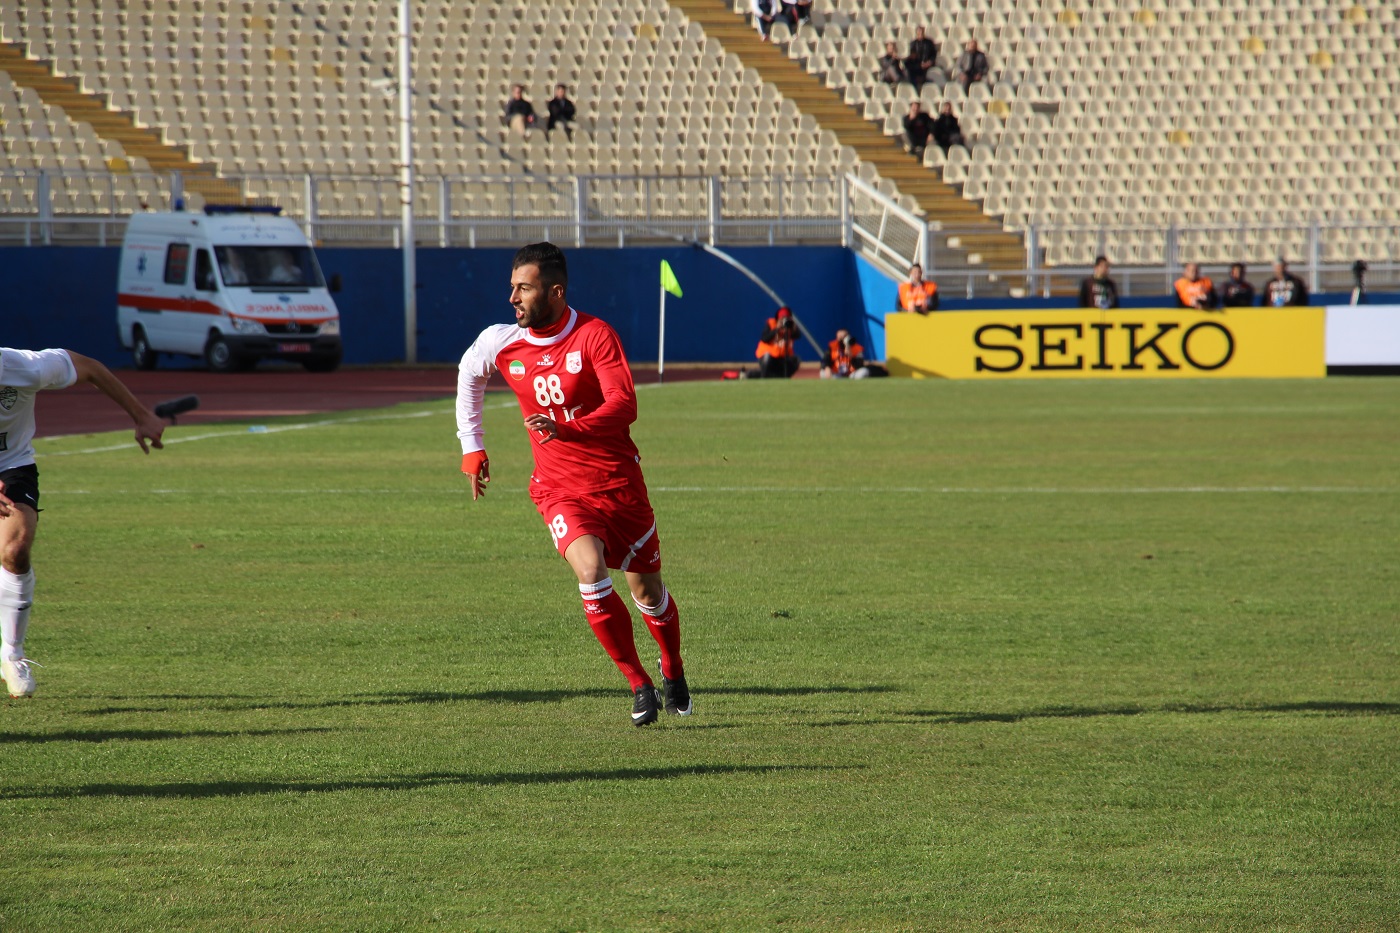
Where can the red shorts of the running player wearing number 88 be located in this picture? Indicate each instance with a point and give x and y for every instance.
(621, 518)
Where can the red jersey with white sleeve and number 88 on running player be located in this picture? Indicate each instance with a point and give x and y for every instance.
(580, 380)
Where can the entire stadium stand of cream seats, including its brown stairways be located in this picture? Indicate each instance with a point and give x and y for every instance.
(1241, 121)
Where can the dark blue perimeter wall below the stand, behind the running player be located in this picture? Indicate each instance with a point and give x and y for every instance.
(66, 296)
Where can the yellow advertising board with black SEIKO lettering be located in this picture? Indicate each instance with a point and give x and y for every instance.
(1122, 344)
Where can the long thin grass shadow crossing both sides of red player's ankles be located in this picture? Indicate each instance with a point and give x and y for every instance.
(227, 703)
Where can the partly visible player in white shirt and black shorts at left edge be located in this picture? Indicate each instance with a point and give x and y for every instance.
(23, 373)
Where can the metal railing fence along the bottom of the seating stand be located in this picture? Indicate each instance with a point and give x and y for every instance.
(45, 208)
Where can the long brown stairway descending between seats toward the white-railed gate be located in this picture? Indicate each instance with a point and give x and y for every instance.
(979, 239)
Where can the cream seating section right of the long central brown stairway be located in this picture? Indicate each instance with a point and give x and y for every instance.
(1144, 117)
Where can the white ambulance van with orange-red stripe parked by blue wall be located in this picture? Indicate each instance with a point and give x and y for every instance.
(232, 285)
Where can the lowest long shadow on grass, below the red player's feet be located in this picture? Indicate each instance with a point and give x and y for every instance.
(414, 782)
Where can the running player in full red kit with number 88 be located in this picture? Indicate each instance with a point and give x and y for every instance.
(572, 379)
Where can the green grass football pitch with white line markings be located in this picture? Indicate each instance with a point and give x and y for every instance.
(1025, 656)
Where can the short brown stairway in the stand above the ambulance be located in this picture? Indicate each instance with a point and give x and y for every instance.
(136, 141)
